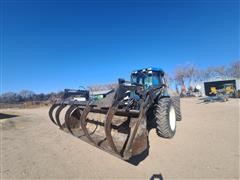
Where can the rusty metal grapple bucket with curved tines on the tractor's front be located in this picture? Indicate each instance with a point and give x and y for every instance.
(117, 129)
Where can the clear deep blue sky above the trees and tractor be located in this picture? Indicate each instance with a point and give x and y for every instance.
(51, 45)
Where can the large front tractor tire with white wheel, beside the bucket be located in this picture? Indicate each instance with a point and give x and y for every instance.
(165, 118)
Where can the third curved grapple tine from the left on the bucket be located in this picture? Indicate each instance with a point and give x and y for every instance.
(70, 113)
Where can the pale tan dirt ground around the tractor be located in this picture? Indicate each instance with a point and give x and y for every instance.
(206, 145)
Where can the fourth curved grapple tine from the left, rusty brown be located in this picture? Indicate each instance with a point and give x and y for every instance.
(83, 123)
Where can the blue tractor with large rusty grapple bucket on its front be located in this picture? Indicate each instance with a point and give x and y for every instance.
(119, 123)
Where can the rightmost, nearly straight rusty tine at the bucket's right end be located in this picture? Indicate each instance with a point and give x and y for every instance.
(128, 150)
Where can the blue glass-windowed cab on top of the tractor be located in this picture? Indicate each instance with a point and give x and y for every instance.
(150, 77)
